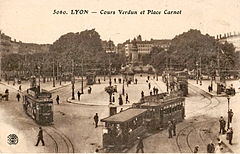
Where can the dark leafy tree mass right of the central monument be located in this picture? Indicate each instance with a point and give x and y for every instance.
(191, 48)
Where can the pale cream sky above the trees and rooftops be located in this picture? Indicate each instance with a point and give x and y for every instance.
(33, 21)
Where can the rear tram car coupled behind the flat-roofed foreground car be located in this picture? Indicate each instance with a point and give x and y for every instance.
(161, 109)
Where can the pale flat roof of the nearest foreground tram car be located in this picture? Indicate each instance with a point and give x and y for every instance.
(124, 116)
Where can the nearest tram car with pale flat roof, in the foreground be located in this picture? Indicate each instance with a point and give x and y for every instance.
(123, 128)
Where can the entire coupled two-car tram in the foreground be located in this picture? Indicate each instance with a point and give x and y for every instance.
(151, 113)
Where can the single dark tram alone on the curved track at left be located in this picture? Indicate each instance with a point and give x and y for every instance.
(38, 105)
